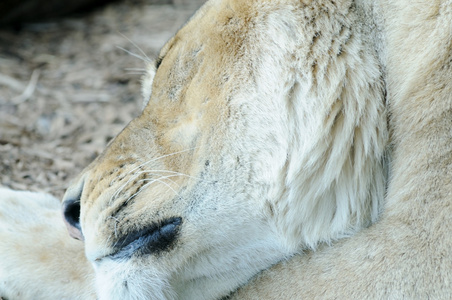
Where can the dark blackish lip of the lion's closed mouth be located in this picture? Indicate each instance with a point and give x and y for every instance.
(151, 240)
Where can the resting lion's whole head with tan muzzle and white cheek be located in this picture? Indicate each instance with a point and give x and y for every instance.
(220, 176)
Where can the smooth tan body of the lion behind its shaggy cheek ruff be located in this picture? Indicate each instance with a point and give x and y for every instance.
(406, 255)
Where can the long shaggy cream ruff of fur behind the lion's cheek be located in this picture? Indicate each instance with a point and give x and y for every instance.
(335, 174)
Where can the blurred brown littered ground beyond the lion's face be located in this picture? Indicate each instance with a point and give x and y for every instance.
(66, 88)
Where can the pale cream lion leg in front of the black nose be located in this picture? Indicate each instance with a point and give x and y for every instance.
(38, 259)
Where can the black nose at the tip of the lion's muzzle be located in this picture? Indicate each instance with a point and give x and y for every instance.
(71, 211)
